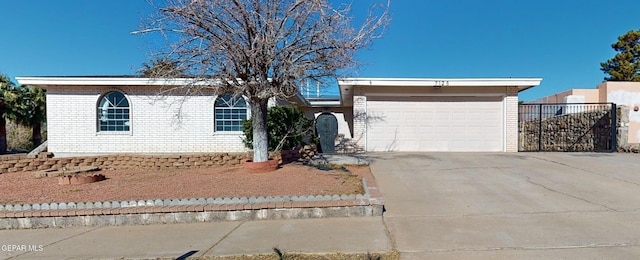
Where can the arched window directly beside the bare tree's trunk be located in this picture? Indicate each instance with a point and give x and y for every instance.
(229, 112)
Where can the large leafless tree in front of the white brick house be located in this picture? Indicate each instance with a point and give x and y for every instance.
(263, 48)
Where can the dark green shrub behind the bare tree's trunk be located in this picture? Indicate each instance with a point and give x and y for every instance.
(287, 128)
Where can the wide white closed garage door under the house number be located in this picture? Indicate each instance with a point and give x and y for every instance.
(435, 124)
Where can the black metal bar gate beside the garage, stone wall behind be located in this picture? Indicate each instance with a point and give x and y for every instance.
(567, 127)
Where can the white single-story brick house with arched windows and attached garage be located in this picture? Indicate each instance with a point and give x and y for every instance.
(98, 115)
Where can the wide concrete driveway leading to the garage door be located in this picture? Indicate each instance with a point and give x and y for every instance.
(508, 205)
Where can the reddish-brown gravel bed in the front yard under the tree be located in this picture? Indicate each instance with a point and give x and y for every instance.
(143, 184)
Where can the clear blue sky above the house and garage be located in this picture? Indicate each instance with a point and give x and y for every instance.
(561, 41)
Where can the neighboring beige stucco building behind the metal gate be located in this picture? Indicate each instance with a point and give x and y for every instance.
(618, 92)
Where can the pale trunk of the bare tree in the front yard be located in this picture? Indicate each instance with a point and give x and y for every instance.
(260, 136)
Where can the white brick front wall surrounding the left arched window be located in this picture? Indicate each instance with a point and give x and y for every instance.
(167, 124)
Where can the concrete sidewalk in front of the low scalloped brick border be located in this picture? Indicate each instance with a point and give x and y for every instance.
(328, 235)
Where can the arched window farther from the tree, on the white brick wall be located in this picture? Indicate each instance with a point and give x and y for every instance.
(113, 113)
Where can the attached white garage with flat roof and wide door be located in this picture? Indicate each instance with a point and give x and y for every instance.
(434, 115)
